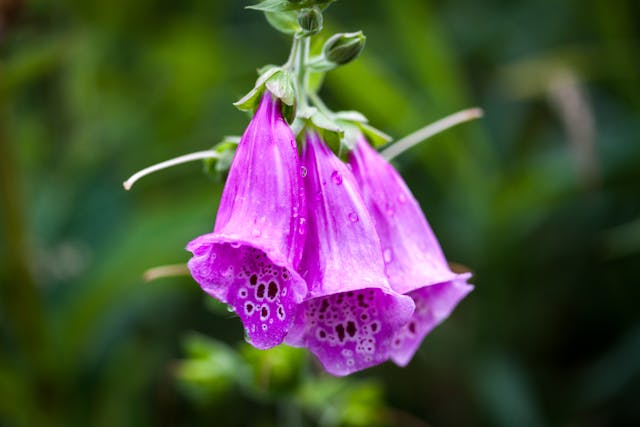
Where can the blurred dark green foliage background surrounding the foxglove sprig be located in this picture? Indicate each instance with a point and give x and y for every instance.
(541, 199)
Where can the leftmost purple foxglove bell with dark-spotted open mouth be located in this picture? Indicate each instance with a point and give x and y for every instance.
(250, 259)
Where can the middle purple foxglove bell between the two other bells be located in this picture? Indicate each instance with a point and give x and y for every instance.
(350, 315)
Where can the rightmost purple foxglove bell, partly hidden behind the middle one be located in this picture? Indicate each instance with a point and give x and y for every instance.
(415, 264)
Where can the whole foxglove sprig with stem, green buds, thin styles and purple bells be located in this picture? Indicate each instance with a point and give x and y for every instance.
(334, 257)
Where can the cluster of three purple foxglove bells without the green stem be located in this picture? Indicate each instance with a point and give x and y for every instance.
(318, 253)
